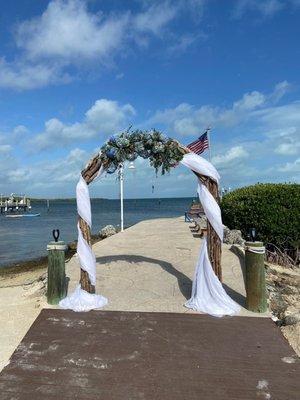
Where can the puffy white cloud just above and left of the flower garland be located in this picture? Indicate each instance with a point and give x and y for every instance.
(104, 118)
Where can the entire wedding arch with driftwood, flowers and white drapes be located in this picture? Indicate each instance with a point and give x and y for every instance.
(208, 294)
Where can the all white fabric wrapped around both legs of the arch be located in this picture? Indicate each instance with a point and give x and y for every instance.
(208, 294)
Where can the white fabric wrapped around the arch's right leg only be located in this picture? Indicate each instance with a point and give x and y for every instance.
(208, 294)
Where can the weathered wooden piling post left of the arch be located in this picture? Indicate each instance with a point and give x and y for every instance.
(56, 285)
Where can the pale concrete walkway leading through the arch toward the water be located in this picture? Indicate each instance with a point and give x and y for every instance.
(150, 267)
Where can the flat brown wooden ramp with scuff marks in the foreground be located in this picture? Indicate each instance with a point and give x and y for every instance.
(131, 356)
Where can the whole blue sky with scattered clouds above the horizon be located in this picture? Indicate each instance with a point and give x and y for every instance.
(74, 72)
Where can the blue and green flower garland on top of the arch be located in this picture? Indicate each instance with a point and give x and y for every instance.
(164, 153)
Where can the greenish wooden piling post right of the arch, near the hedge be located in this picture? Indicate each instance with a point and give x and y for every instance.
(256, 300)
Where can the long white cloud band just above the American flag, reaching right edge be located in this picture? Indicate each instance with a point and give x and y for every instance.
(188, 120)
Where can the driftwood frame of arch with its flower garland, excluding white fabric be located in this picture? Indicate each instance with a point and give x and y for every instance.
(123, 147)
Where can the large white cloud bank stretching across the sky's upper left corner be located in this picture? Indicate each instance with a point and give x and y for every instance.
(68, 35)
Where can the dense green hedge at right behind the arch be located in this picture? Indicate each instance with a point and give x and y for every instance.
(273, 209)
